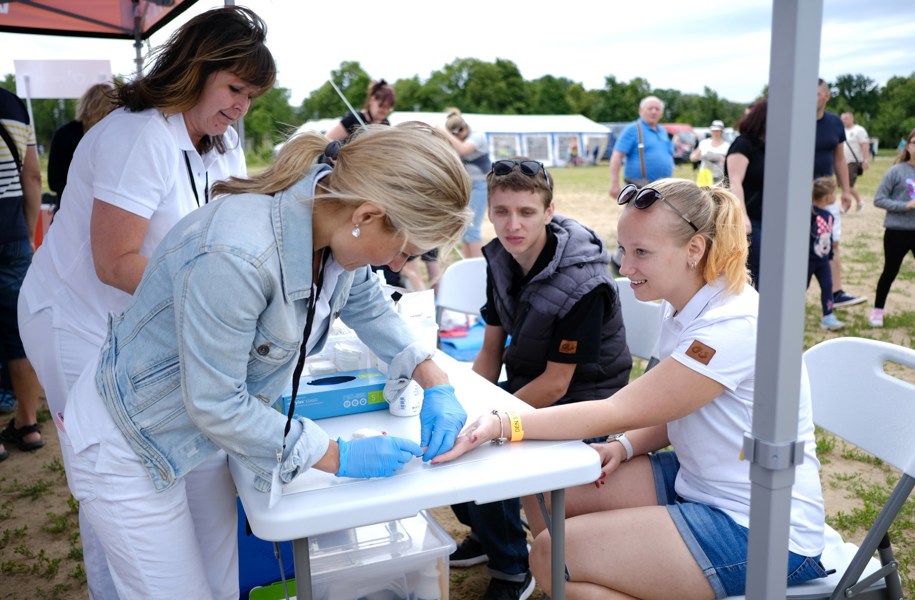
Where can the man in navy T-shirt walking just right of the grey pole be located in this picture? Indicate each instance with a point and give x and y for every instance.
(829, 160)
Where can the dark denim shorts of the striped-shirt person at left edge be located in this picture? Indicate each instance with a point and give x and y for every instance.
(15, 258)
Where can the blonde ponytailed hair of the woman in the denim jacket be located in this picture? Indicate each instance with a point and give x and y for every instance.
(410, 171)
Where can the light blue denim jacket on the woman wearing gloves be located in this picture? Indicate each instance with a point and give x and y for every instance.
(212, 337)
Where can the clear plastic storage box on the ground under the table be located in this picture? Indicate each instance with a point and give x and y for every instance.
(406, 559)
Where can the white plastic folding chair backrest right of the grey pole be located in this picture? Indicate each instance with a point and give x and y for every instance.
(855, 397)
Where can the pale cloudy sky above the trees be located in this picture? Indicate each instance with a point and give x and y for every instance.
(687, 46)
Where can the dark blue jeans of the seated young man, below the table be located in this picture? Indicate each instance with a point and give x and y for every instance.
(497, 526)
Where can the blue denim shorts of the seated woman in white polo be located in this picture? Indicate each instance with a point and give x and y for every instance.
(715, 540)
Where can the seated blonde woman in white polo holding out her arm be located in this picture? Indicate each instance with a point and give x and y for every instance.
(673, 523)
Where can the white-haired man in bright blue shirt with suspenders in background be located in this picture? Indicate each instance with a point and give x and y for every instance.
(658, 149)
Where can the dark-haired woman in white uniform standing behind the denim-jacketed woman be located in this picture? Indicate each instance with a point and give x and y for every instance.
(133, 176)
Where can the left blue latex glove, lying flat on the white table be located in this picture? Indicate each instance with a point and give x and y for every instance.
(378, 456)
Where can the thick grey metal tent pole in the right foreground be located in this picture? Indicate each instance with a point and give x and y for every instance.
(791, 125)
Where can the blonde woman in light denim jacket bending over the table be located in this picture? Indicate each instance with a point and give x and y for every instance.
(190, 370)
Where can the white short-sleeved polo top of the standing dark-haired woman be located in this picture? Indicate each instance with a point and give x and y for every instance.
(135, 161)
